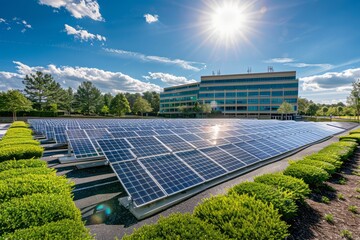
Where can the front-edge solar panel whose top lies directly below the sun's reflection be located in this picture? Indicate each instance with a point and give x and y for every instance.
(229, 162)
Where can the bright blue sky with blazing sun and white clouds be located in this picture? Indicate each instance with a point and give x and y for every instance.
(135, 46)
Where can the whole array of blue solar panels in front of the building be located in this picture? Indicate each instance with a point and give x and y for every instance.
(155, 159)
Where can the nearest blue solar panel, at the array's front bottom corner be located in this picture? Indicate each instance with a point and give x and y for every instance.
(137, 183)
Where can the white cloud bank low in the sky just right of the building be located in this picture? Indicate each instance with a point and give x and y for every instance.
(338, 81)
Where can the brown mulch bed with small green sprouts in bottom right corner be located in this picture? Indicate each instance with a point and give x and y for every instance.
(311, 224)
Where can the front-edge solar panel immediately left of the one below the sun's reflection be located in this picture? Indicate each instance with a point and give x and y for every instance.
(202, 164)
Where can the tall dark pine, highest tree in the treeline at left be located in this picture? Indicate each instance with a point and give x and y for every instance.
(42, 90)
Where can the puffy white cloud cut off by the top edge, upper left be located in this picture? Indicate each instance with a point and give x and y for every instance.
(78, 8)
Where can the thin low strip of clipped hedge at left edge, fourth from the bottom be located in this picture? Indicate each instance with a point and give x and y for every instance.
(21, 172)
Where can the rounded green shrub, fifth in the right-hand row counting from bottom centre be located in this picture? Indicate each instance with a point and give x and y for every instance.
(310, 174)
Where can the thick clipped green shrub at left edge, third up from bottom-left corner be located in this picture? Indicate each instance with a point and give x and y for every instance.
(30, 184)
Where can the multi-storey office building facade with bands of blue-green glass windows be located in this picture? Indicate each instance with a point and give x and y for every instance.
(240, 94)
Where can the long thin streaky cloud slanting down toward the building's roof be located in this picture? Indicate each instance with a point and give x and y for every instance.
(194, 66)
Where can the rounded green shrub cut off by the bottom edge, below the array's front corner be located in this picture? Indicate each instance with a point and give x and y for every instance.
(177, 226)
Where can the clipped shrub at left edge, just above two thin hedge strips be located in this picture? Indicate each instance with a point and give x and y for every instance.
(20, 152)
